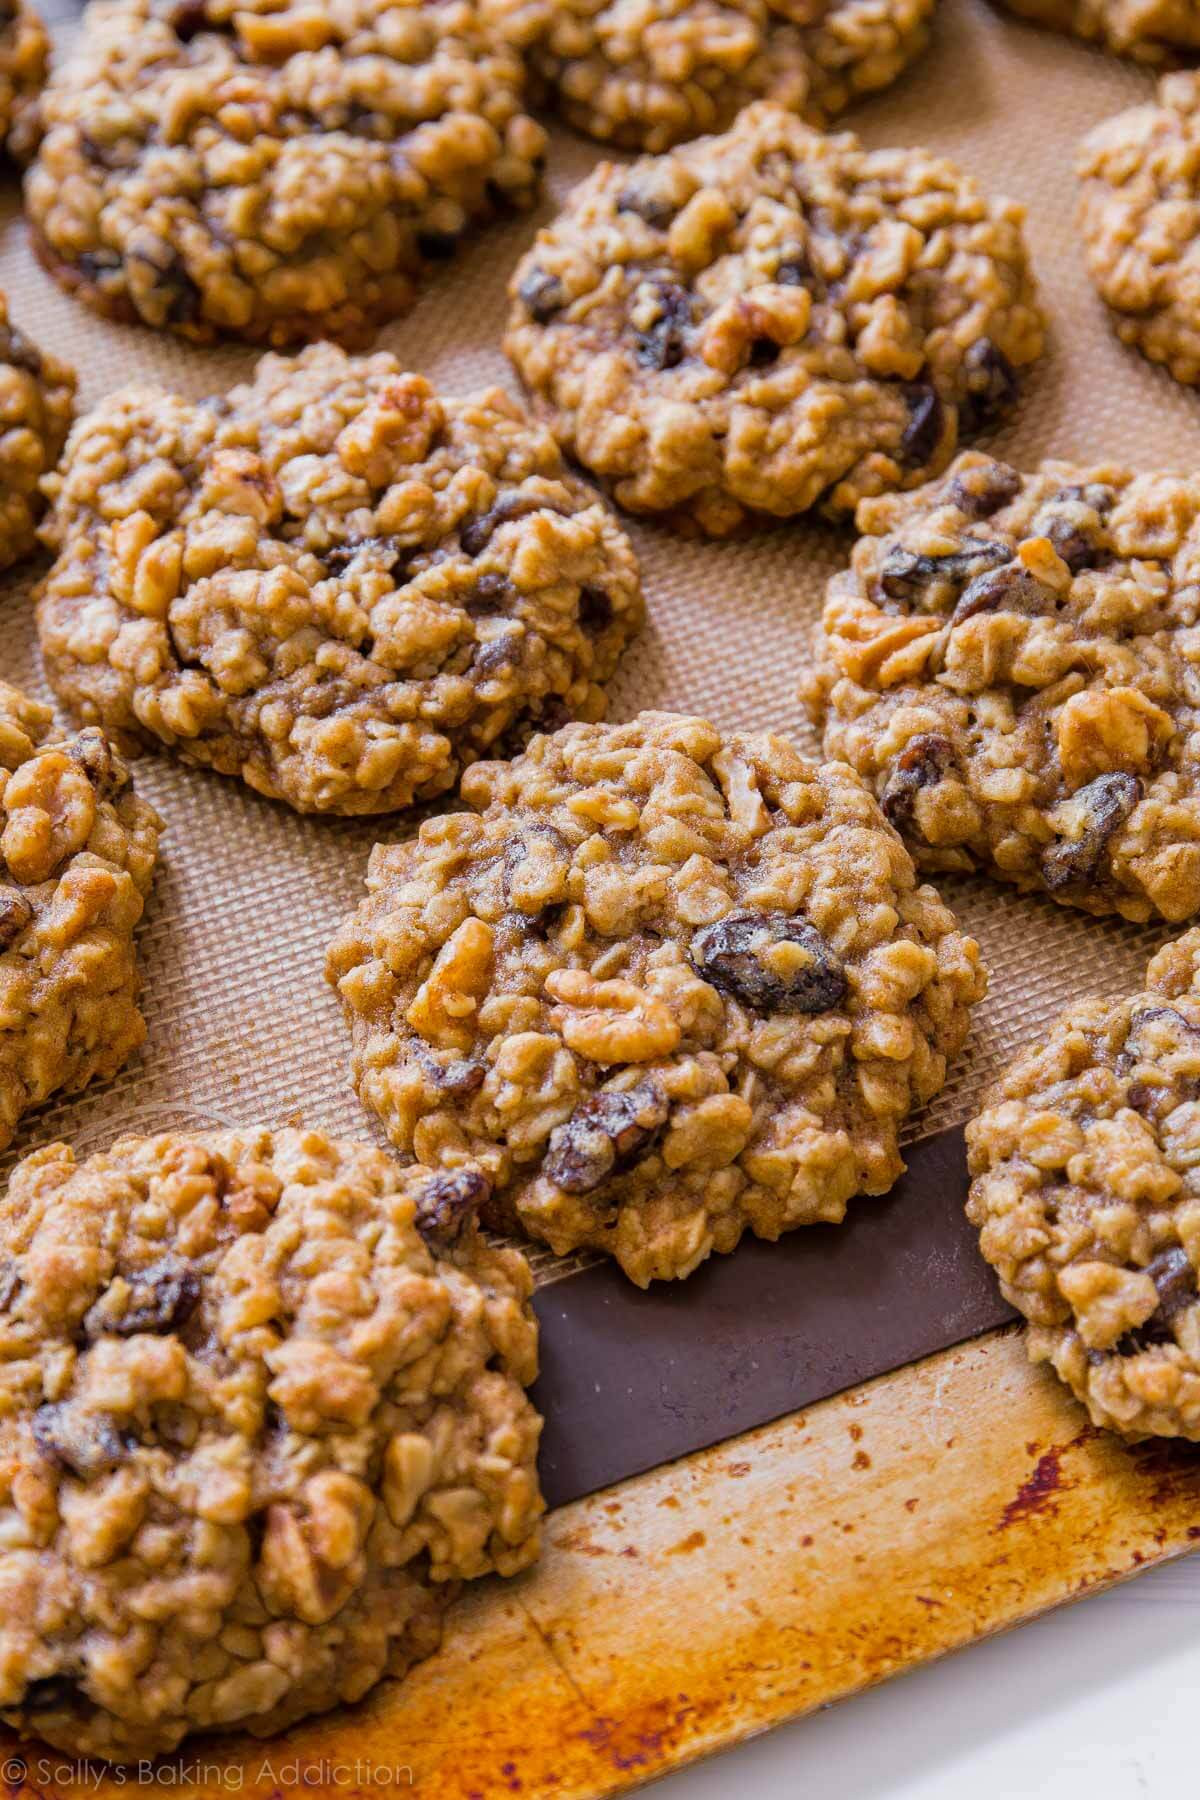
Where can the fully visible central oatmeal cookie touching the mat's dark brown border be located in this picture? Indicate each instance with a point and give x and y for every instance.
(665, 985)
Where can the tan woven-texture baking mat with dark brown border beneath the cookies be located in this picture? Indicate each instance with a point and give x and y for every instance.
(242, 1027)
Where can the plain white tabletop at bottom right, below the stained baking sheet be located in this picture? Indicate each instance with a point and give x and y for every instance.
(1095, 1702)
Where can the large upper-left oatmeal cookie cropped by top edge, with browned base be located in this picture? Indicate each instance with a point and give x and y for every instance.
(274, 172)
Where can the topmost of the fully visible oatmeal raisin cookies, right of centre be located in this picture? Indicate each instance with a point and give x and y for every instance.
(773, 319)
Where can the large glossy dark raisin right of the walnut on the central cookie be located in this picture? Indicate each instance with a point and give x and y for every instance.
(737, 957)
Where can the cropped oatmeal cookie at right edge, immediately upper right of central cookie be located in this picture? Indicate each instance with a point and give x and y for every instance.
(1010, 663)
